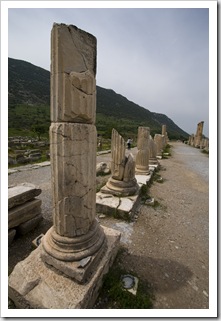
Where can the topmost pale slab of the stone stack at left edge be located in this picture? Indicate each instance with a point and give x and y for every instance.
(22, 193)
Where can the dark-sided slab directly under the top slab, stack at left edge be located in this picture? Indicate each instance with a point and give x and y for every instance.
(23, 213)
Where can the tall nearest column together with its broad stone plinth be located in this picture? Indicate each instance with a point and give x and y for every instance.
(66, 270)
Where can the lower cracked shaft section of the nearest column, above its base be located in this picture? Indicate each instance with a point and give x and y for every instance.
(73, 164)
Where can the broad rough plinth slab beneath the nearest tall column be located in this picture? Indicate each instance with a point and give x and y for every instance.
(32, 284)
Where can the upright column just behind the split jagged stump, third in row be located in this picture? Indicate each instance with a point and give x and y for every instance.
(143, 154)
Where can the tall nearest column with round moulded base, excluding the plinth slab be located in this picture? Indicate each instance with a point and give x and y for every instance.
(75, 234)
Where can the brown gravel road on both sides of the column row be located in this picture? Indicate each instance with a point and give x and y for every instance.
(168, 245)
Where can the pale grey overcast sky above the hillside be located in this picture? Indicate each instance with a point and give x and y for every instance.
(155, 57)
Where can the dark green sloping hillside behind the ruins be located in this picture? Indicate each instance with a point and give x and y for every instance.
(29, 99)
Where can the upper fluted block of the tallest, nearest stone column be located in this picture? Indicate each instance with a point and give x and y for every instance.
(73, 75)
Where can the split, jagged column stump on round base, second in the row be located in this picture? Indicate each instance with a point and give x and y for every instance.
(122, 181)
